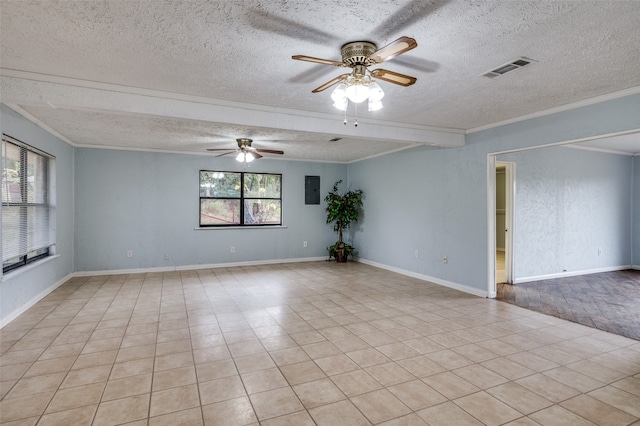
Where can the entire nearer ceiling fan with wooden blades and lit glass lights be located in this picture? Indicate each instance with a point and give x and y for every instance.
(360, 85)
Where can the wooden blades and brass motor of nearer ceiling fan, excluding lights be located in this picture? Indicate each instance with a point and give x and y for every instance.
(359, 56)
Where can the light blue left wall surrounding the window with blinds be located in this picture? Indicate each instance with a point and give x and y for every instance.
(19, 288)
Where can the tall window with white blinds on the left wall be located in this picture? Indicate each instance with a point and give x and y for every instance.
(26, 206)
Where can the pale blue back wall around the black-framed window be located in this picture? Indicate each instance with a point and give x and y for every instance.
(148, 203)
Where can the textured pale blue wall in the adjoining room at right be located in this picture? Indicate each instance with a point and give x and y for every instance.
(572, 212)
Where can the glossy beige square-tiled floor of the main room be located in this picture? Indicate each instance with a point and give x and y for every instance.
(302, 344)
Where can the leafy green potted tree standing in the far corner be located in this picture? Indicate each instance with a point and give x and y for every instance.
(342, 211)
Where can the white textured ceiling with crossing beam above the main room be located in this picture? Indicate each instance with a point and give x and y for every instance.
(190, 75)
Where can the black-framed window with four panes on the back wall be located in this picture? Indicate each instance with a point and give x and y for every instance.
(238, 199)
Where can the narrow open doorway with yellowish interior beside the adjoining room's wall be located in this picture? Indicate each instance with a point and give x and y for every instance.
(504, 223)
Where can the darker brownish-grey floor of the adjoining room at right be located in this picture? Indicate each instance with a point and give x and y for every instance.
(609, 301)
